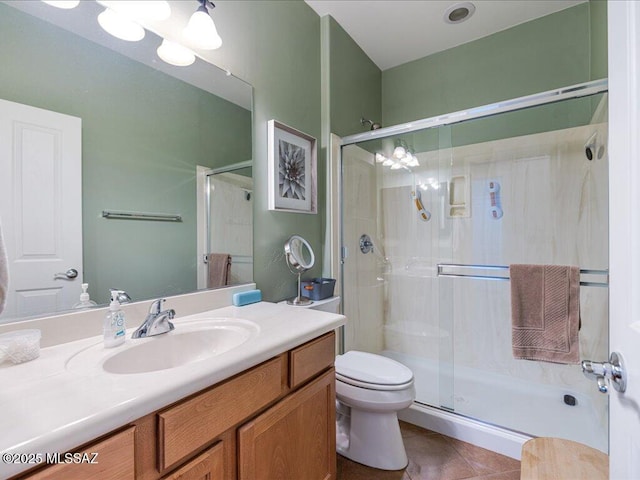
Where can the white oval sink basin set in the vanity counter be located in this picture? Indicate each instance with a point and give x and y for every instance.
(190, 342)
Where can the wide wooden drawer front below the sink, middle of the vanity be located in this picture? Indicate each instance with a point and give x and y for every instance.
(190, 425)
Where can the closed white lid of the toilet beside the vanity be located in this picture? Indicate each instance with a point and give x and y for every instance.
(373, 369)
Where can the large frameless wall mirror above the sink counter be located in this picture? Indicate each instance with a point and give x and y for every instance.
(155, 141)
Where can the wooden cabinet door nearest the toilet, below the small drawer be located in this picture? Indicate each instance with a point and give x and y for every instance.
(293, 439)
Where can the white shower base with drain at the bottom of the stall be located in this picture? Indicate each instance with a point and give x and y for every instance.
(495, 400)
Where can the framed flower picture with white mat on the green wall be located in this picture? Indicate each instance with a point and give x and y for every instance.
(293, 174)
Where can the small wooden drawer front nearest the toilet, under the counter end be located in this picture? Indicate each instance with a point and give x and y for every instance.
(309, 359)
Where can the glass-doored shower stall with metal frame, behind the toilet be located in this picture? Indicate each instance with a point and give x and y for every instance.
(432, 215)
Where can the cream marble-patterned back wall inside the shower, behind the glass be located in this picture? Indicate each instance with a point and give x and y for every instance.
(555, 212)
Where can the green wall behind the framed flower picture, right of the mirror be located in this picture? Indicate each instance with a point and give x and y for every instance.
(275, 46)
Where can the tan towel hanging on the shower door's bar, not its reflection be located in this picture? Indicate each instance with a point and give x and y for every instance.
(545, 312)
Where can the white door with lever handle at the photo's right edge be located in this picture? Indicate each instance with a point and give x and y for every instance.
(624, 178)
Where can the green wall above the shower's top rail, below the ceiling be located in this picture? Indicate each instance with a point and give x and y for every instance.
(544, 54)
